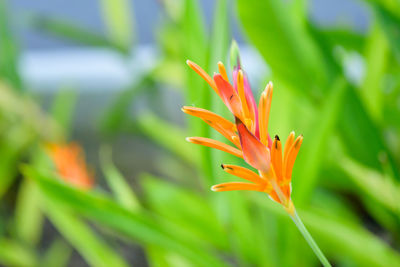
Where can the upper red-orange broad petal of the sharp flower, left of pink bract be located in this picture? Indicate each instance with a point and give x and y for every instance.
(228, 95)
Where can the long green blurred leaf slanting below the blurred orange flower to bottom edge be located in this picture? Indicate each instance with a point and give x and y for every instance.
(138, 226)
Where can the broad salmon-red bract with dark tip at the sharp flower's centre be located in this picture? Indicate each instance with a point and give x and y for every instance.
(254, 152)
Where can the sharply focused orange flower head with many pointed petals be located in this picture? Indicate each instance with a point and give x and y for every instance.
(249, 135)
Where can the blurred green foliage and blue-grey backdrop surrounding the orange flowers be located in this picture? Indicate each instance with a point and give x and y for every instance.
(111, 76)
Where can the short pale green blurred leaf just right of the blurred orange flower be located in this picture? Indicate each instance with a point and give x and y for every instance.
(119, 186)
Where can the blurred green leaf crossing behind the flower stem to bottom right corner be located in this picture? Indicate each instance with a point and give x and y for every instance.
(340, 239)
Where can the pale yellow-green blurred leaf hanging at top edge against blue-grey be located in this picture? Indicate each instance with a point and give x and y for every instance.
(117, 15)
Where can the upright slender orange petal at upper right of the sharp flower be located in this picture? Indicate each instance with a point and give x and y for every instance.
(263, 112)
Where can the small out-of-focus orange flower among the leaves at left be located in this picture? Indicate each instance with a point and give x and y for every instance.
(70, 164)
